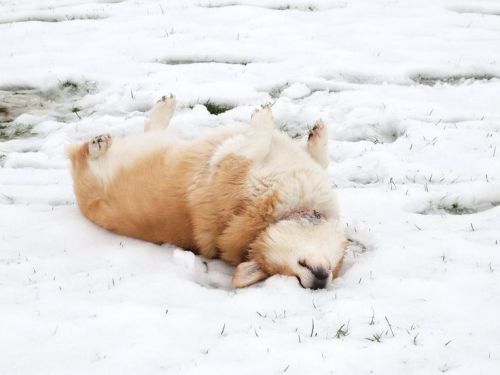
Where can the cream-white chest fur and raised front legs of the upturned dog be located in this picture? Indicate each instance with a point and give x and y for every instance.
(281, 163)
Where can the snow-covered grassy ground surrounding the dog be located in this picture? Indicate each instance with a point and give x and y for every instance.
(410, 91)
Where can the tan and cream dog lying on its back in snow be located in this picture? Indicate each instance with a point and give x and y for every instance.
(248, 195)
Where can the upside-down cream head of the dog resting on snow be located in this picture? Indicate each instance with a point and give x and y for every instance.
(310, 250)
